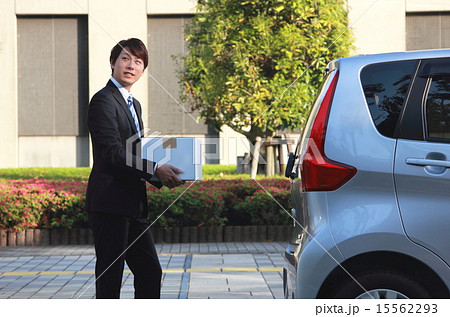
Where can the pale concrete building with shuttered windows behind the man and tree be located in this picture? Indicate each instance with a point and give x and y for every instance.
(54, 57)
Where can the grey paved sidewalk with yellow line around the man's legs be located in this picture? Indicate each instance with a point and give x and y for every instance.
(200, 270)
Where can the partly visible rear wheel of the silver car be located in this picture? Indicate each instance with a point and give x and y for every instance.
(380, 285)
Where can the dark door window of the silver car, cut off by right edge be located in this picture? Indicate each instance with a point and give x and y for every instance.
(438, 107)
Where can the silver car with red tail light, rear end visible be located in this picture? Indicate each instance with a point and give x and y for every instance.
(370, 182)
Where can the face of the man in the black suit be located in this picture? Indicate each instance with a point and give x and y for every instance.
(127, 68)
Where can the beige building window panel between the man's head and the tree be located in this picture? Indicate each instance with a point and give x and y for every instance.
(166, 42)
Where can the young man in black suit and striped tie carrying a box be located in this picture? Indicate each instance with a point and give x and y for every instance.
(116, 198)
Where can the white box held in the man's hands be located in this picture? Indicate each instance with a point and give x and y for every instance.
(183, 153)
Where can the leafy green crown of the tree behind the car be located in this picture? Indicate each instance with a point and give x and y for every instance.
(258, 64)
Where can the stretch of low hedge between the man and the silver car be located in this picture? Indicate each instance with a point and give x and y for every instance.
(220, 202)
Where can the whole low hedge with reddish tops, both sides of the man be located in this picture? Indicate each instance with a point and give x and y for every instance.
(44, 203)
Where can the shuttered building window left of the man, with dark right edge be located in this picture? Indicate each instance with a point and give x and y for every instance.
(52, 75)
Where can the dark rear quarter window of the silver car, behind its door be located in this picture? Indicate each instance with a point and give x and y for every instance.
(385, 87)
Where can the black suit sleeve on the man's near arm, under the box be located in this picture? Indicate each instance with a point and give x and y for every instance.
(103, 124)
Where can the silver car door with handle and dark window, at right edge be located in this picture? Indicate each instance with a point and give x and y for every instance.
(422, 159)
